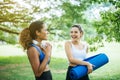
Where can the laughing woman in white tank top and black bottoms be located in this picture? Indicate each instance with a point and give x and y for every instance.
(76, 51)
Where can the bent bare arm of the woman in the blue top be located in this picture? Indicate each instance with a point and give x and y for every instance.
(33, 56)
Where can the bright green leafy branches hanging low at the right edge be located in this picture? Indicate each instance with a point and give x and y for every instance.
(108, 28)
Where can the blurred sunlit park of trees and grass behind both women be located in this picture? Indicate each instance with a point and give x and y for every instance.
(100, 20)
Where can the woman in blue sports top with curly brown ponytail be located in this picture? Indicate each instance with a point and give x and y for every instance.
(39, 57)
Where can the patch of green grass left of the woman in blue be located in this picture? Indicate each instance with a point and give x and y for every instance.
(15, 68)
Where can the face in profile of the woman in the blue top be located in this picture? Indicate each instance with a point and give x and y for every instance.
(43, 34)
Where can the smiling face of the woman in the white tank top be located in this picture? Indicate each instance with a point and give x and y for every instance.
(75, 34)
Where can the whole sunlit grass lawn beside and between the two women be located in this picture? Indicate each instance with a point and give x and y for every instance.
(18, 67)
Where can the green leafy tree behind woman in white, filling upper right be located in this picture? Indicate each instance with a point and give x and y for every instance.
(100, 30)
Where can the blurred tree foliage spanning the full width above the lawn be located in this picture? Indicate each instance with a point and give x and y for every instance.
(14, 17)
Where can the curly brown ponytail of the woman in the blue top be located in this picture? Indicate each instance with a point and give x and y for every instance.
(25, 38)
